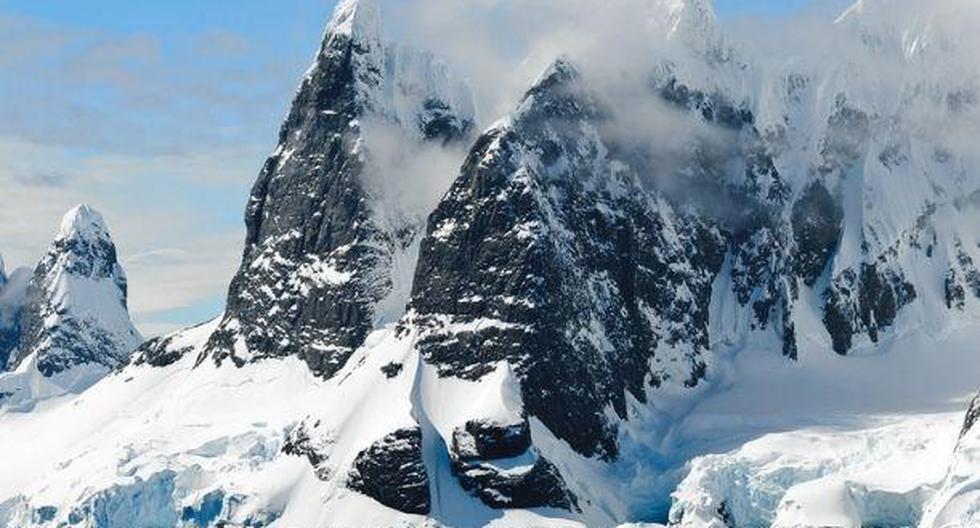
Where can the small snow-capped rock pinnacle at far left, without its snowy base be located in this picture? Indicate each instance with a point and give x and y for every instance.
(76, 311)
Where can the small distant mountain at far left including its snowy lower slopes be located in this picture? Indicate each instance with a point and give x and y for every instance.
(73, 322)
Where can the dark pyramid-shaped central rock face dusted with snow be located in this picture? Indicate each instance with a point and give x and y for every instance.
(549, 254)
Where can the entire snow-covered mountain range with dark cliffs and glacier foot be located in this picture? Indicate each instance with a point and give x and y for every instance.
(716, 289)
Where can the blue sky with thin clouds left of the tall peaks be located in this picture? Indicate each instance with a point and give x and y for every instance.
(158, 113)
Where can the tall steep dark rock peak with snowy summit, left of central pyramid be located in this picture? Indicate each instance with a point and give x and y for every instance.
(321, 247)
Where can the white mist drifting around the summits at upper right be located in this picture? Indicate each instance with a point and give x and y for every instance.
(879, 55)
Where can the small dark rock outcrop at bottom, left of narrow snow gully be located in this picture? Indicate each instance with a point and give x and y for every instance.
(392, 472)
